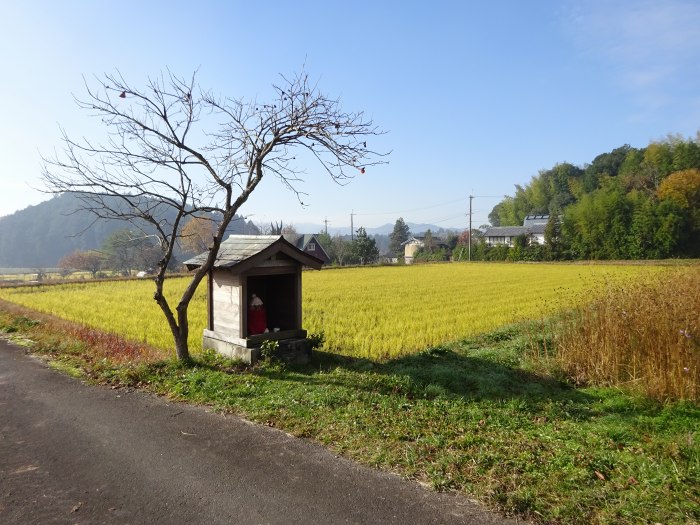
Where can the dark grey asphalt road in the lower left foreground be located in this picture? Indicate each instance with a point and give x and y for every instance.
(81, 454)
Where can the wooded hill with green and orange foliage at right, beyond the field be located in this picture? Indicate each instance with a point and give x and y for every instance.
(629, 203)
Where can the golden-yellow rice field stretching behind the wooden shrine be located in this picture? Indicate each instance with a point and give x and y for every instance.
(378, 312)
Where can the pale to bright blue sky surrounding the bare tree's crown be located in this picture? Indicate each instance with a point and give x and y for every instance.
(476, 97)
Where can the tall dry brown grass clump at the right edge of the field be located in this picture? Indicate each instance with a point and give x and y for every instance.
(643, 335)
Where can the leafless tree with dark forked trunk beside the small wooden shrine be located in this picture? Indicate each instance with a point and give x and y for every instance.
(173, 151)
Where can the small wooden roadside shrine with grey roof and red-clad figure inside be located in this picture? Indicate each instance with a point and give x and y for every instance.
(254, 295)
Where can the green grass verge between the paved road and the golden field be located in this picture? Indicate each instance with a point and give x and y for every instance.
(479, 417)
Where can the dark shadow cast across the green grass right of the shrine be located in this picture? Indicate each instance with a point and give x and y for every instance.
(451, 371)
